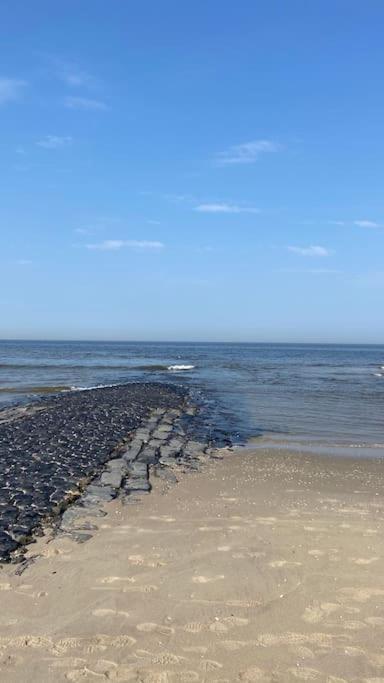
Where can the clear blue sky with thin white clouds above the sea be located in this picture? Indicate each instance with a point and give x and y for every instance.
(206, 170)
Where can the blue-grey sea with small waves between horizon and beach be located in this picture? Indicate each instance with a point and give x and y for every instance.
(324, 394)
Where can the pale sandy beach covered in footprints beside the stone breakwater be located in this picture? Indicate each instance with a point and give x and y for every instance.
(265, 566)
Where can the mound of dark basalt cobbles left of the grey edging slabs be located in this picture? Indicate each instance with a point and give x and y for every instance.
(51, 450)
